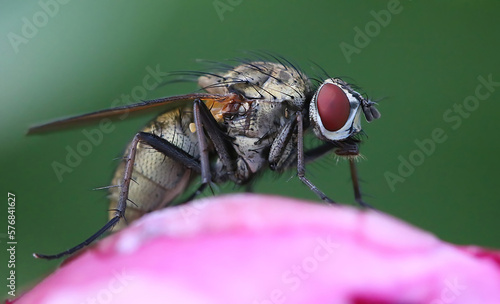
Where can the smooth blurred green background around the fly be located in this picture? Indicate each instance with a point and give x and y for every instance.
(422, 60)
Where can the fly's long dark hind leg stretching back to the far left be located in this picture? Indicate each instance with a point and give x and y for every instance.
(158, 144)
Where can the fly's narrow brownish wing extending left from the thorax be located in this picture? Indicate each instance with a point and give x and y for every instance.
(164, 103)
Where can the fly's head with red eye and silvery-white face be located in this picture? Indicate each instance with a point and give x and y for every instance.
(335, 110)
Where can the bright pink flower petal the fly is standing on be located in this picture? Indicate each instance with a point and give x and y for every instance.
(262, 249)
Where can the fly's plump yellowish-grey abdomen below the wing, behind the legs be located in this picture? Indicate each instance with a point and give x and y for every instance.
(158, 179)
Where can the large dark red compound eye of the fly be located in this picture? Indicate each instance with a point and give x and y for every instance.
(333, 107)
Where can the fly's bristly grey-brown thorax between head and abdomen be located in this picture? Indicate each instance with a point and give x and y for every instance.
(270, 94)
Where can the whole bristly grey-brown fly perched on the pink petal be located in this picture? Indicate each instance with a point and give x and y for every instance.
(250, 118)
